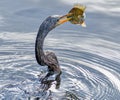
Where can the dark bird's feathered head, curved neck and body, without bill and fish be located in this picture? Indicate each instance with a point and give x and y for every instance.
(47, 58)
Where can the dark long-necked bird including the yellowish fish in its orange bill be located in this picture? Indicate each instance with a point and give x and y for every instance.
(49, 58)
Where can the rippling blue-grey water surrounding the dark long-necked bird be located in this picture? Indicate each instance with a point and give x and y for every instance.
(89, 57)
